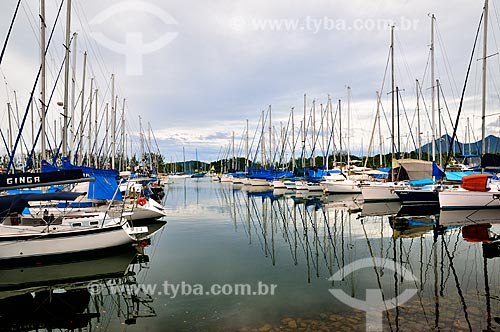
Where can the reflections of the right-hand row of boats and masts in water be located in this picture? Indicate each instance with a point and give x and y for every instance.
(454, 255)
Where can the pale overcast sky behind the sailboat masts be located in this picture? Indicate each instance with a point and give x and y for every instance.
(195, 71)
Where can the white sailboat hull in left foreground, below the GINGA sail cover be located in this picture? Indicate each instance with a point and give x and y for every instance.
(26, 237)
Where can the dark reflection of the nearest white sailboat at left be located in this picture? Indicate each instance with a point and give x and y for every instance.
(99, 291)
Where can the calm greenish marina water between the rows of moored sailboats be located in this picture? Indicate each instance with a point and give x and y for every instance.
(223, 235)
